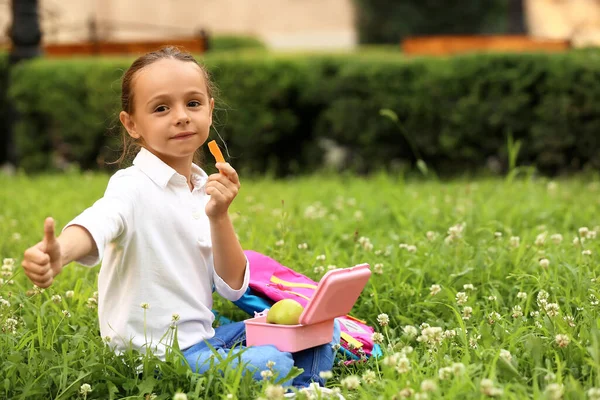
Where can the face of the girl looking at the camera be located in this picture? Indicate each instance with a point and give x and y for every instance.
(172, 110)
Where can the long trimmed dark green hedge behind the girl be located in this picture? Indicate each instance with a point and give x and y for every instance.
(273, 110)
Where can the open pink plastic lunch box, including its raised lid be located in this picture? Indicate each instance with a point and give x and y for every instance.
(334, 297)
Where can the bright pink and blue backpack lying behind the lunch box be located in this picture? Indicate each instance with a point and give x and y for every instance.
(270, 282)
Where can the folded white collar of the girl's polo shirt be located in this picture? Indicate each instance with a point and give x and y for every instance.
(161, 173)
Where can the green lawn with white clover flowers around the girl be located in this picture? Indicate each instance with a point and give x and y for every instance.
(349, 220)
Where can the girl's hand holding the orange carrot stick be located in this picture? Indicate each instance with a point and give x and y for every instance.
(222, 188)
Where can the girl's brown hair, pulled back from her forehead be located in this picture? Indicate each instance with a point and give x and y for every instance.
(131, 145)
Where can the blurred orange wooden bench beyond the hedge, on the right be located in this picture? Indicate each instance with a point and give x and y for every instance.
(448, 45)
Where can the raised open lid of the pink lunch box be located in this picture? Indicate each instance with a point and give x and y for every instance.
(336, 294)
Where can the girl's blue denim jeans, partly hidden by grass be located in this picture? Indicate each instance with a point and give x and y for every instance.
(231, 338)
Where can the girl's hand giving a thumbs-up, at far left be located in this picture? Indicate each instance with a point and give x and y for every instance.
(43, 261)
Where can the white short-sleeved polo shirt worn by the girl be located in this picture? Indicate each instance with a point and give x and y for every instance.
(154, 237)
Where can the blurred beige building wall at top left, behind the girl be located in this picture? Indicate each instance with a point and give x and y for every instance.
(281, 24)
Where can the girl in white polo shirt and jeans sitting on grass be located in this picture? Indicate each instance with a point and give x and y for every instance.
(163, 231)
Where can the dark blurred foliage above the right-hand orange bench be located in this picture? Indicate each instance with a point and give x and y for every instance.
(388, 21)
